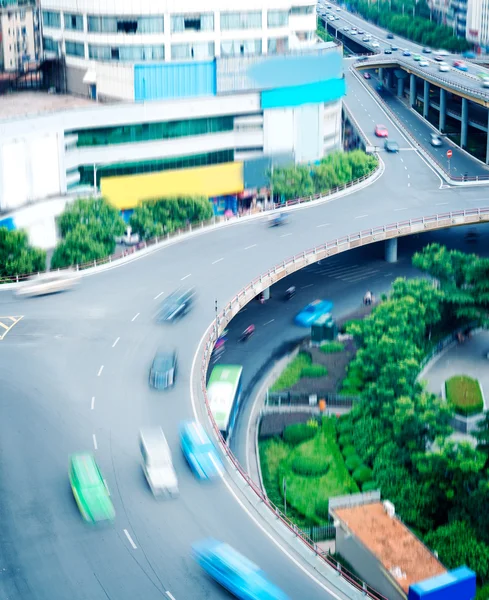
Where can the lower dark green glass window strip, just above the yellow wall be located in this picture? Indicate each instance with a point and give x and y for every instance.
(154, 166)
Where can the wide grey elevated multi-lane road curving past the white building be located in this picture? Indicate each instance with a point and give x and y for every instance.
(73, 376)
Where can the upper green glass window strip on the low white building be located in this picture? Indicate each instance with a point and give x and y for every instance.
(147, 132)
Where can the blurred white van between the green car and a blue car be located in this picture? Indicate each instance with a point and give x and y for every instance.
(157, 462)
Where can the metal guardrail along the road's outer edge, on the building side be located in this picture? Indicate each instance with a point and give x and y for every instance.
(200, 225)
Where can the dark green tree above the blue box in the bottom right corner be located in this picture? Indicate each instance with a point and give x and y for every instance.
(457, 544)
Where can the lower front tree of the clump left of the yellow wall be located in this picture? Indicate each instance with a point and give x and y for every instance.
(78, 247)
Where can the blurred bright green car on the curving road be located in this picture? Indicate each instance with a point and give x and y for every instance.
(89, 488)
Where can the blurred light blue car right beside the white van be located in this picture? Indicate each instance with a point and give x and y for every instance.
(199, 451)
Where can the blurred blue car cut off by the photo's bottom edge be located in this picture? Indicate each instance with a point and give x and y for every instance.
(234, 572)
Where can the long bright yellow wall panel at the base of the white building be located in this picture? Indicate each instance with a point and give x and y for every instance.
(215, 180)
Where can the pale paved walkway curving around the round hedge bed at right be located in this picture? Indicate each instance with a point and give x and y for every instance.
(468, 358)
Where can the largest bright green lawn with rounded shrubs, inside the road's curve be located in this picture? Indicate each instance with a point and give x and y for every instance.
(305, 493)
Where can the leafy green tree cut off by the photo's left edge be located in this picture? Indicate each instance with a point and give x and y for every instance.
(17, 257)
